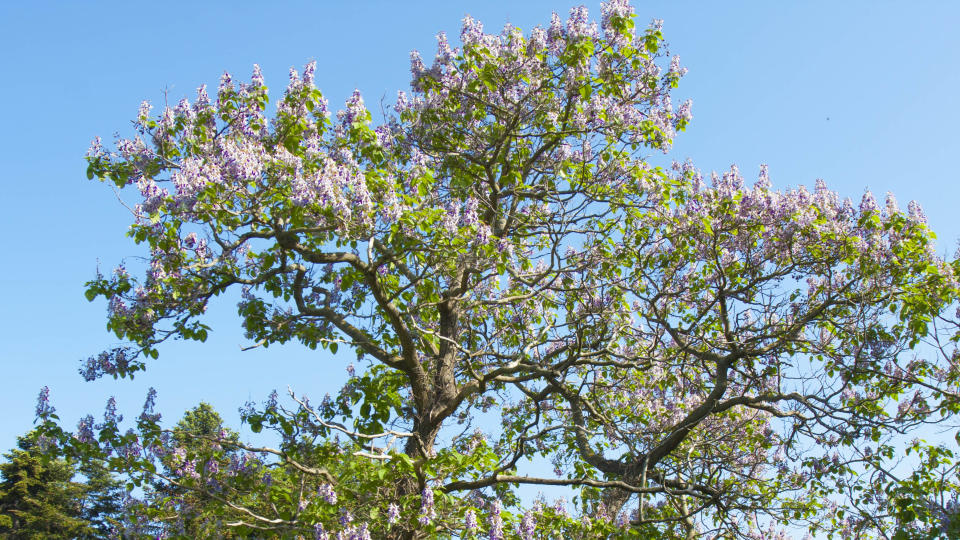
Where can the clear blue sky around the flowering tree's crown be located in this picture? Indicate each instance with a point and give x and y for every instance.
(861, 94)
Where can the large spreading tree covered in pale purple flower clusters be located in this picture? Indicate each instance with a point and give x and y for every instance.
(694, 357)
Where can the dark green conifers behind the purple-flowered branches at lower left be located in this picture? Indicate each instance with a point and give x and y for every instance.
(46, 496)
